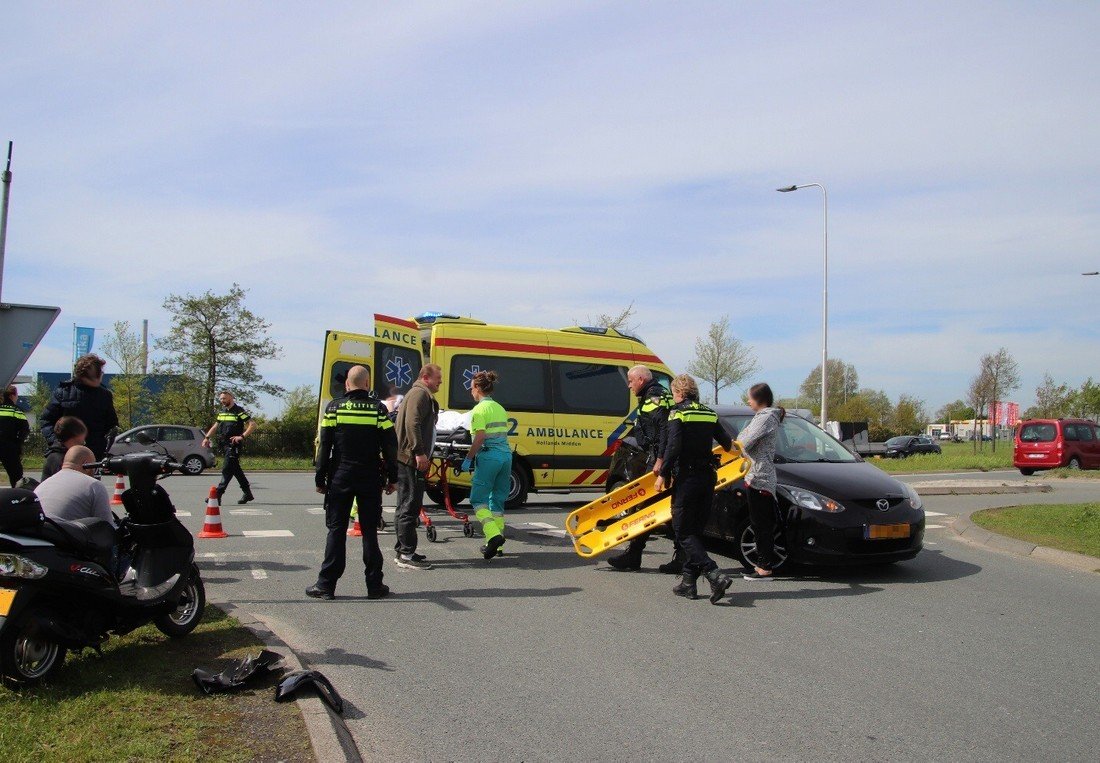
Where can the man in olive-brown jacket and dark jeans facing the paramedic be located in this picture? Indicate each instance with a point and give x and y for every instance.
(416, 435)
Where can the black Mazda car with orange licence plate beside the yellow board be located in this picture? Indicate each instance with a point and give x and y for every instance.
(834, 507)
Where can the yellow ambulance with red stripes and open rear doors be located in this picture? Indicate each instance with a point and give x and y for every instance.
(565, 390)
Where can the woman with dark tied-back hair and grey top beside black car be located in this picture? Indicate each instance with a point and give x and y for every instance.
(758, 441)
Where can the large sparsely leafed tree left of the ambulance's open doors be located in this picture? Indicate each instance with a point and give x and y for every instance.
(215, 342)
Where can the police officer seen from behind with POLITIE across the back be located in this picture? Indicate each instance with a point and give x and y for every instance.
(355, 433)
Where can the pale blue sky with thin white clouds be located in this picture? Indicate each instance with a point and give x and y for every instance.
(542, 163)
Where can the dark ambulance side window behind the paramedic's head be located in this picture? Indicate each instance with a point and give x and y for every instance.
(523, 383)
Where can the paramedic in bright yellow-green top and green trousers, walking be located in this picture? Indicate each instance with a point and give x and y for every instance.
(491, 462)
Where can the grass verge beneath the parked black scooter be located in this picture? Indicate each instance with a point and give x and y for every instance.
(137, 702)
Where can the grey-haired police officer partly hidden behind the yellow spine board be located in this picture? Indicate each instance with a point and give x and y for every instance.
(650, 430)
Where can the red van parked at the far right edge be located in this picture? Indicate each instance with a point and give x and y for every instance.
(1050, 444)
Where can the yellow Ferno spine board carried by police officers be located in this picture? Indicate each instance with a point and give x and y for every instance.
(637, 507)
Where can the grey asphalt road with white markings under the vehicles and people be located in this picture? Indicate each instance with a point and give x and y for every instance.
(960, 655)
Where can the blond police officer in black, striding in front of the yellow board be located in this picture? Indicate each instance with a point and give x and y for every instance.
(690, 465)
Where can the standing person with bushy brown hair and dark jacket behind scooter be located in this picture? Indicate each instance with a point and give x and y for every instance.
(84, 397)
